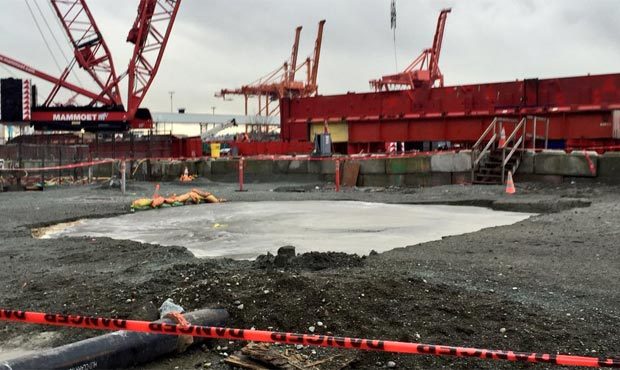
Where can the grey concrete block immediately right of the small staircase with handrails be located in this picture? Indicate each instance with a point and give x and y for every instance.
(560, 163)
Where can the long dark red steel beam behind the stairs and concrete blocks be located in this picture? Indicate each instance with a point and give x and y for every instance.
(579, 107)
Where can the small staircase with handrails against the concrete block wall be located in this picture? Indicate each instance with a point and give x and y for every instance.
(491, 164)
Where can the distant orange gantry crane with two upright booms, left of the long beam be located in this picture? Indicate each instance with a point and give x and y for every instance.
(281, 82)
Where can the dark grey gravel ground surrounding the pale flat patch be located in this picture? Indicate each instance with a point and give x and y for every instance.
(547, 284)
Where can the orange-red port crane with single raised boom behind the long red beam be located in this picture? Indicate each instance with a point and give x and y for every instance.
(423, 71)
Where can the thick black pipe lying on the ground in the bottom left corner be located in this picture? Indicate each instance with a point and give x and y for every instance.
(115, 350)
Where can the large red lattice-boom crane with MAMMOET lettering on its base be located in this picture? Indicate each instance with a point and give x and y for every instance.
(105, 111)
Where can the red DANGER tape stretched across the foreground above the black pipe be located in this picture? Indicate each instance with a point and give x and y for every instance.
(310, 340)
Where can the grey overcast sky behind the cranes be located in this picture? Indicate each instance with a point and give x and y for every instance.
(226, 43)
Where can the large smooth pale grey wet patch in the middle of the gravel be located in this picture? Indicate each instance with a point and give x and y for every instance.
(244, 230)
